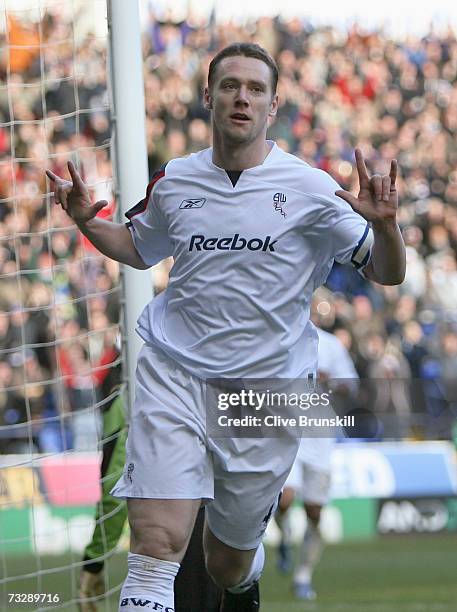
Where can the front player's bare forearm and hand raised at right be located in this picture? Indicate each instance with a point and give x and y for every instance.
(377, 202)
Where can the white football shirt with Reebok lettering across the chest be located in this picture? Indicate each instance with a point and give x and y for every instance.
(247, 260)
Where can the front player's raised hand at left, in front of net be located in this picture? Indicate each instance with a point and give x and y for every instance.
(73, 196)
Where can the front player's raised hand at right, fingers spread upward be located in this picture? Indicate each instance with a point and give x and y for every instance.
(377, 200)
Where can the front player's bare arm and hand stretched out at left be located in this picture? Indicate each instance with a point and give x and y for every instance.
(112, 239)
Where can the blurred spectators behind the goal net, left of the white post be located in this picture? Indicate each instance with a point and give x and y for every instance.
(59, 298)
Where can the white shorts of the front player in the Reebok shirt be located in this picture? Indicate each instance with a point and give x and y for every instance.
(170, 456)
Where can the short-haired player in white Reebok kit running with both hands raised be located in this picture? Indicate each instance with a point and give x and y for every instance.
(253, 232)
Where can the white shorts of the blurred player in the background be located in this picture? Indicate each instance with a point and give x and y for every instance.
(311, 485)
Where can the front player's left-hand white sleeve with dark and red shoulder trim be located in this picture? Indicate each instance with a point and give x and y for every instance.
(148, 226)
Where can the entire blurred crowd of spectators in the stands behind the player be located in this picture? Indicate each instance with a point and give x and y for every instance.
(60, 299)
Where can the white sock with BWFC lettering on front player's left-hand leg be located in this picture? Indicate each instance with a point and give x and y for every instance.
(149, 584)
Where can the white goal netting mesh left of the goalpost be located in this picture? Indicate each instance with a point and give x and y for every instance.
(59, 298)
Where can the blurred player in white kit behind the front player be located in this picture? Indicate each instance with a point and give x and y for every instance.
(309, 479)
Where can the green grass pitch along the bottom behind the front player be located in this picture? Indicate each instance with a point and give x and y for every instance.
(392, 574)
